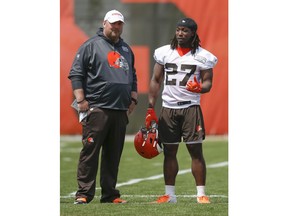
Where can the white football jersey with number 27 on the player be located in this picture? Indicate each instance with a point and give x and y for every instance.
(178, 71)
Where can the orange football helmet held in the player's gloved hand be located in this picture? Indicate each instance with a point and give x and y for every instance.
(146, 143)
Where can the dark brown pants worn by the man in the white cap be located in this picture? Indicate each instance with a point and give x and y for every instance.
(102, 129)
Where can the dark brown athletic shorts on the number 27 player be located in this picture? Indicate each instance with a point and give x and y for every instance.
(187, 123)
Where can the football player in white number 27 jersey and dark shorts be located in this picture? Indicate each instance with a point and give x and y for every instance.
(186, 71)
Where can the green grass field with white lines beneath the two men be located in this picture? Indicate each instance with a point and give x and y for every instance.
(140, 181)
